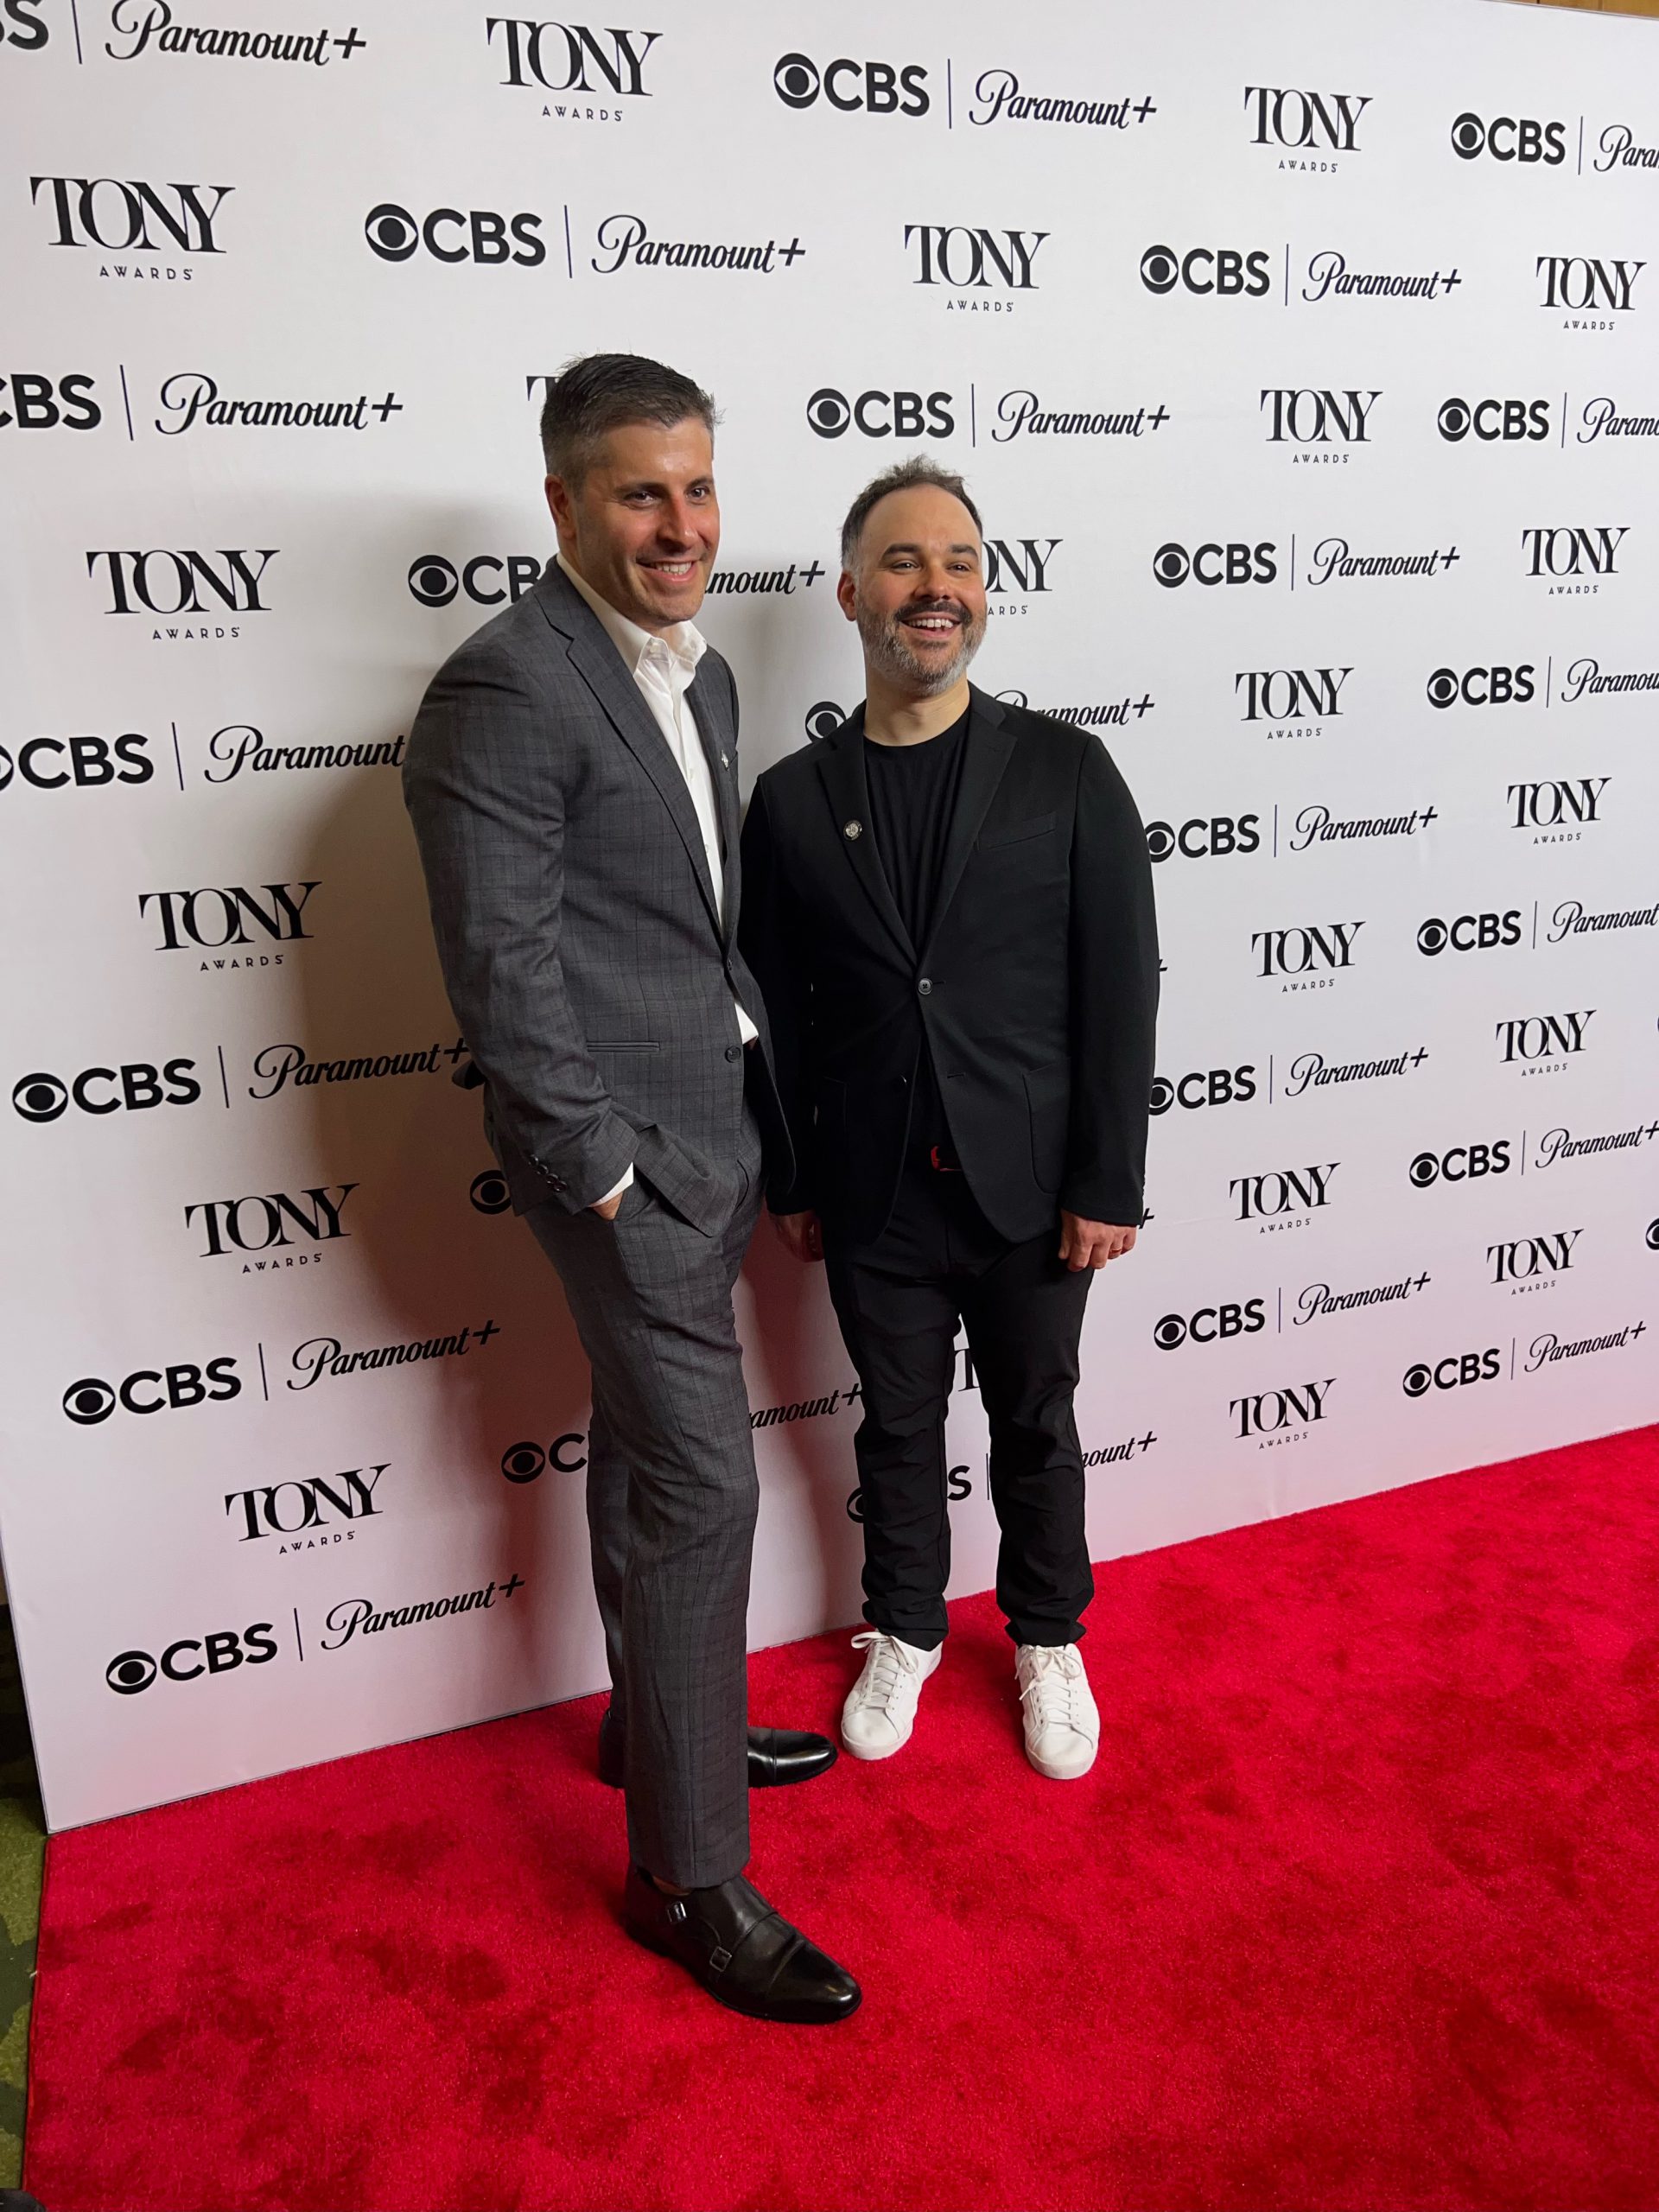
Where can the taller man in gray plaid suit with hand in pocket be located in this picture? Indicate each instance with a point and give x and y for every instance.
(572, 778)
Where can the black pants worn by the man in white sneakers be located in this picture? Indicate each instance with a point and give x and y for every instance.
(899, 1304)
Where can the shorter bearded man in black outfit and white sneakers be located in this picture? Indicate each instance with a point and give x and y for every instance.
(950, 912)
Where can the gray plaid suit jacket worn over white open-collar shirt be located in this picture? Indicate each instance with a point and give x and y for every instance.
(576, 921)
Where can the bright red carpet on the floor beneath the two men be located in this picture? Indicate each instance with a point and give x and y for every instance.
(1359, 1908)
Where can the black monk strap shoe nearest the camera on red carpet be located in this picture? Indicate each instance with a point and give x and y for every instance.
(742, 1952)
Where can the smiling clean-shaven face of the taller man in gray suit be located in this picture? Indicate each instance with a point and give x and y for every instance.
(645, 525)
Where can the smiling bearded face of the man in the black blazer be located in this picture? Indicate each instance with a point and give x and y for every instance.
(919, 589)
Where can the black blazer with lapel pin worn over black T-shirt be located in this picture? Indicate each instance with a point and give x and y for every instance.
(1036, 990)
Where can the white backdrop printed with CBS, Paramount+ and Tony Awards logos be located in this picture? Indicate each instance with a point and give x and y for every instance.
(1306, 364)
